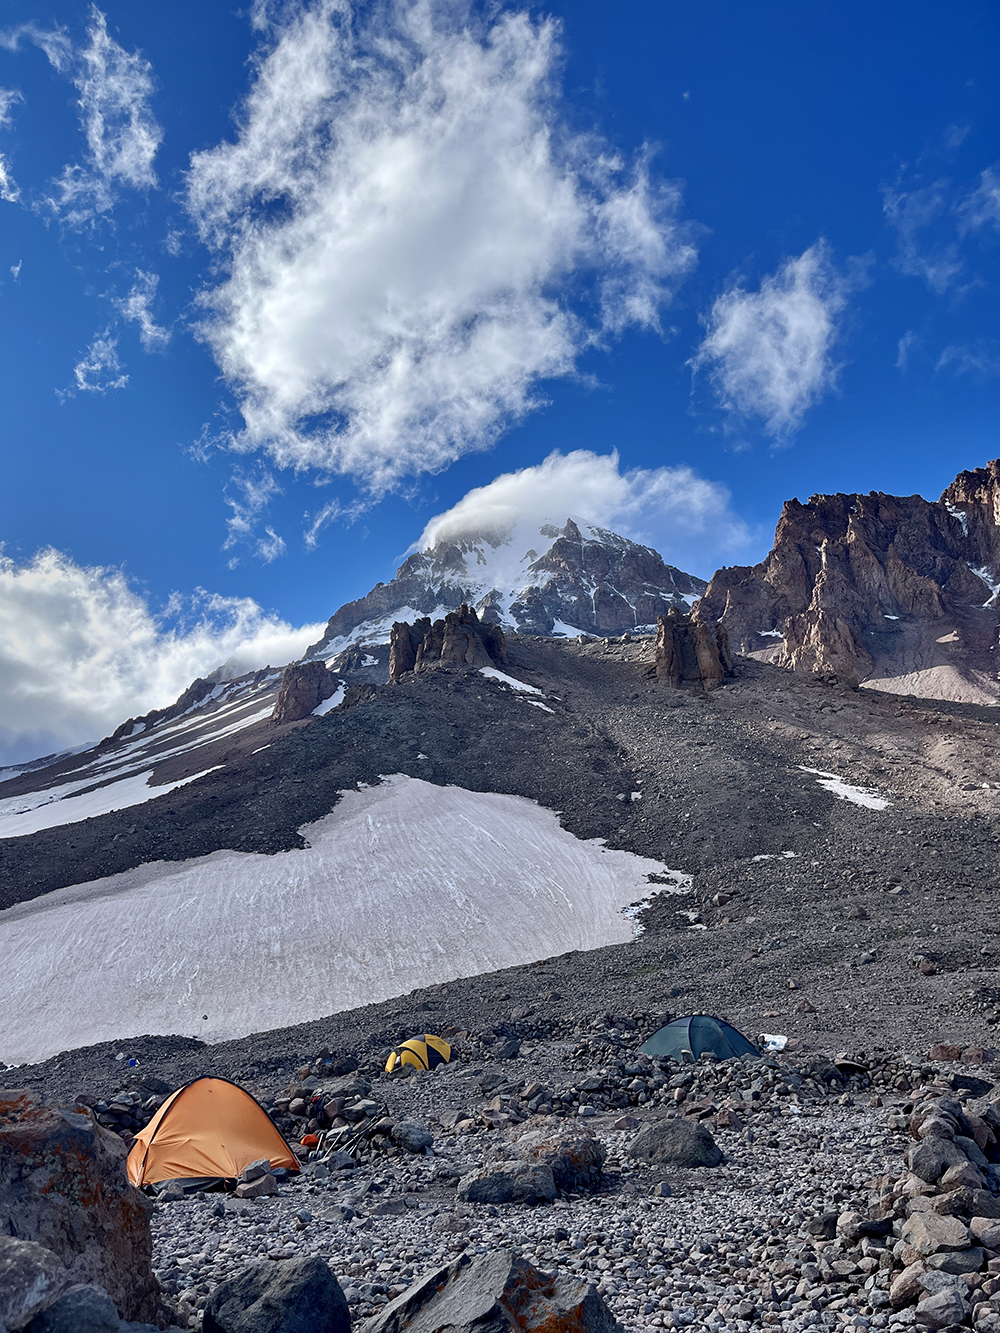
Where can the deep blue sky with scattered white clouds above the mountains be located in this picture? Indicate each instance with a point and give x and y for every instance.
(251, 349)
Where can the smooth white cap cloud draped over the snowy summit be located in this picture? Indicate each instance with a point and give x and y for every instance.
(682, 515)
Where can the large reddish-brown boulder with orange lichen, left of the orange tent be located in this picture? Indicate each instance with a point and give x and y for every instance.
(63, 1184)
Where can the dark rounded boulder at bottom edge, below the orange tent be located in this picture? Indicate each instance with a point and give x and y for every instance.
(290, 1296)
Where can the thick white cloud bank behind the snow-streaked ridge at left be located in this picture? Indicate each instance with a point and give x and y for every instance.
(81, 651)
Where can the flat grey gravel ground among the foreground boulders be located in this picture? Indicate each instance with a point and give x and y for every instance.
(727, 1250)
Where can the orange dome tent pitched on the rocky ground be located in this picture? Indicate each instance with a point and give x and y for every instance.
(209, 1130)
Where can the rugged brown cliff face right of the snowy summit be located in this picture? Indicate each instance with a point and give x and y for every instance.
(897, 593)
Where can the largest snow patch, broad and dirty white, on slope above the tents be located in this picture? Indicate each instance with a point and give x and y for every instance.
(263, 942)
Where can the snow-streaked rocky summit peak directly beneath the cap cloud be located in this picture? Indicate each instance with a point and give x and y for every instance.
(578, 577)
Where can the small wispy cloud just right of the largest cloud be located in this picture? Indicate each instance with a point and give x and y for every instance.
(771, 353)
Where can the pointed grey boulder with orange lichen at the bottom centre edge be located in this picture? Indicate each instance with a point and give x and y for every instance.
(493, 1294)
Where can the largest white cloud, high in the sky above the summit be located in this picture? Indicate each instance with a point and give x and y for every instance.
(414, 238)
